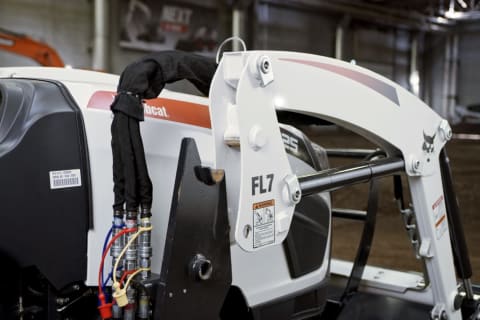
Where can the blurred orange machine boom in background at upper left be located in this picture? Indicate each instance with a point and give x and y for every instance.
(25, 46)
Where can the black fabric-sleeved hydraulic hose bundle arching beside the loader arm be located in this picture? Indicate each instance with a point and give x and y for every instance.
(144, 79)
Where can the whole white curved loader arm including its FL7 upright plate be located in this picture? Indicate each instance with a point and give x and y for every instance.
(263, 191)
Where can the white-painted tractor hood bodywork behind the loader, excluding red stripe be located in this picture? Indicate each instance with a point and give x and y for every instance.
(271, 278)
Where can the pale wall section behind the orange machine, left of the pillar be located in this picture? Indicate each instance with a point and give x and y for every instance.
(64, 25)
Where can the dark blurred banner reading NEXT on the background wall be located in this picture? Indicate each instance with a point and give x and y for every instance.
(155, 25)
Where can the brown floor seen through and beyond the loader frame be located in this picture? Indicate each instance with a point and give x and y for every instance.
(391, 247)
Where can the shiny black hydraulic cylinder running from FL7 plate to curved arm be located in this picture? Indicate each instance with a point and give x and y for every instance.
(336, 178)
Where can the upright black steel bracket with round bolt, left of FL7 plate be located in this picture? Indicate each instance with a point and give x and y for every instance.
(196, 269)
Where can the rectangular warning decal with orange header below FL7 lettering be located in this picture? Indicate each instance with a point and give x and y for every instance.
(263, 223)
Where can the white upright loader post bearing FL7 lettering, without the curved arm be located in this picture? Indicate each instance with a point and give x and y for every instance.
(259, 204)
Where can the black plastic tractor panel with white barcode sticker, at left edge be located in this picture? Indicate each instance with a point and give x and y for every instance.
(41, 131)
